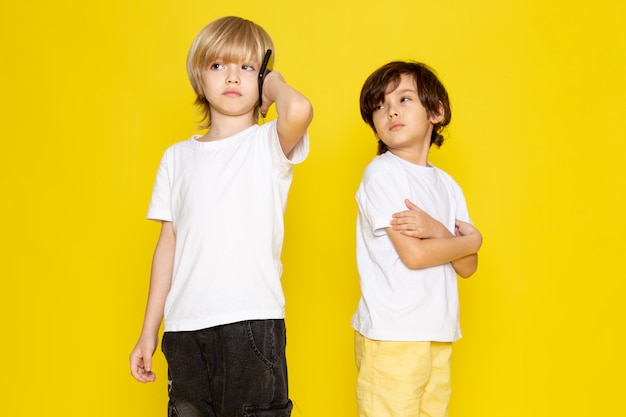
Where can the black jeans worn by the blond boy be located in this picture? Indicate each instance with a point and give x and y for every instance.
(233, 370)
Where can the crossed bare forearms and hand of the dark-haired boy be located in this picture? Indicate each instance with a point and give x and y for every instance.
(422, 241)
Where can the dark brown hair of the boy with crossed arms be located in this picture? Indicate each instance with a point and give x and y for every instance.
(431, 92)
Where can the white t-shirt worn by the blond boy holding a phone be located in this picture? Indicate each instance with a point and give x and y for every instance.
(226, 200)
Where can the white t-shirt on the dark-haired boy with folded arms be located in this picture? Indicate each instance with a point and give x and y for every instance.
(397, 303)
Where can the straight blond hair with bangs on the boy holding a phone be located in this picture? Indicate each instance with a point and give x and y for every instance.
(232, 39)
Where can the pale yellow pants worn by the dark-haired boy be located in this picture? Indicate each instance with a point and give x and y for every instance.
(402, 379)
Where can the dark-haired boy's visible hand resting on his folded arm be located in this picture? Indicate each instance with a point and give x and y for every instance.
(415, 222)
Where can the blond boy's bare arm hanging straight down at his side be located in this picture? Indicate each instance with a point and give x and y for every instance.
(160, 282)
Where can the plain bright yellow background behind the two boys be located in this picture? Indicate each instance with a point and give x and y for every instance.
(91, 94)
